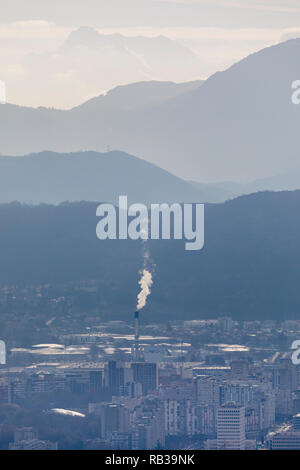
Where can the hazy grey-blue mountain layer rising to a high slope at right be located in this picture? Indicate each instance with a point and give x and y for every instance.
(239, 125)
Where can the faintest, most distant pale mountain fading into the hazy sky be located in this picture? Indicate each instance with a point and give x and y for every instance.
(88, 63)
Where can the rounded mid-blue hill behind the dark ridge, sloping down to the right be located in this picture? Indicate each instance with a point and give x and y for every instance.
(53, 178)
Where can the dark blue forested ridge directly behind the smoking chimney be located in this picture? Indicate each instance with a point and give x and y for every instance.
(248, 267)
